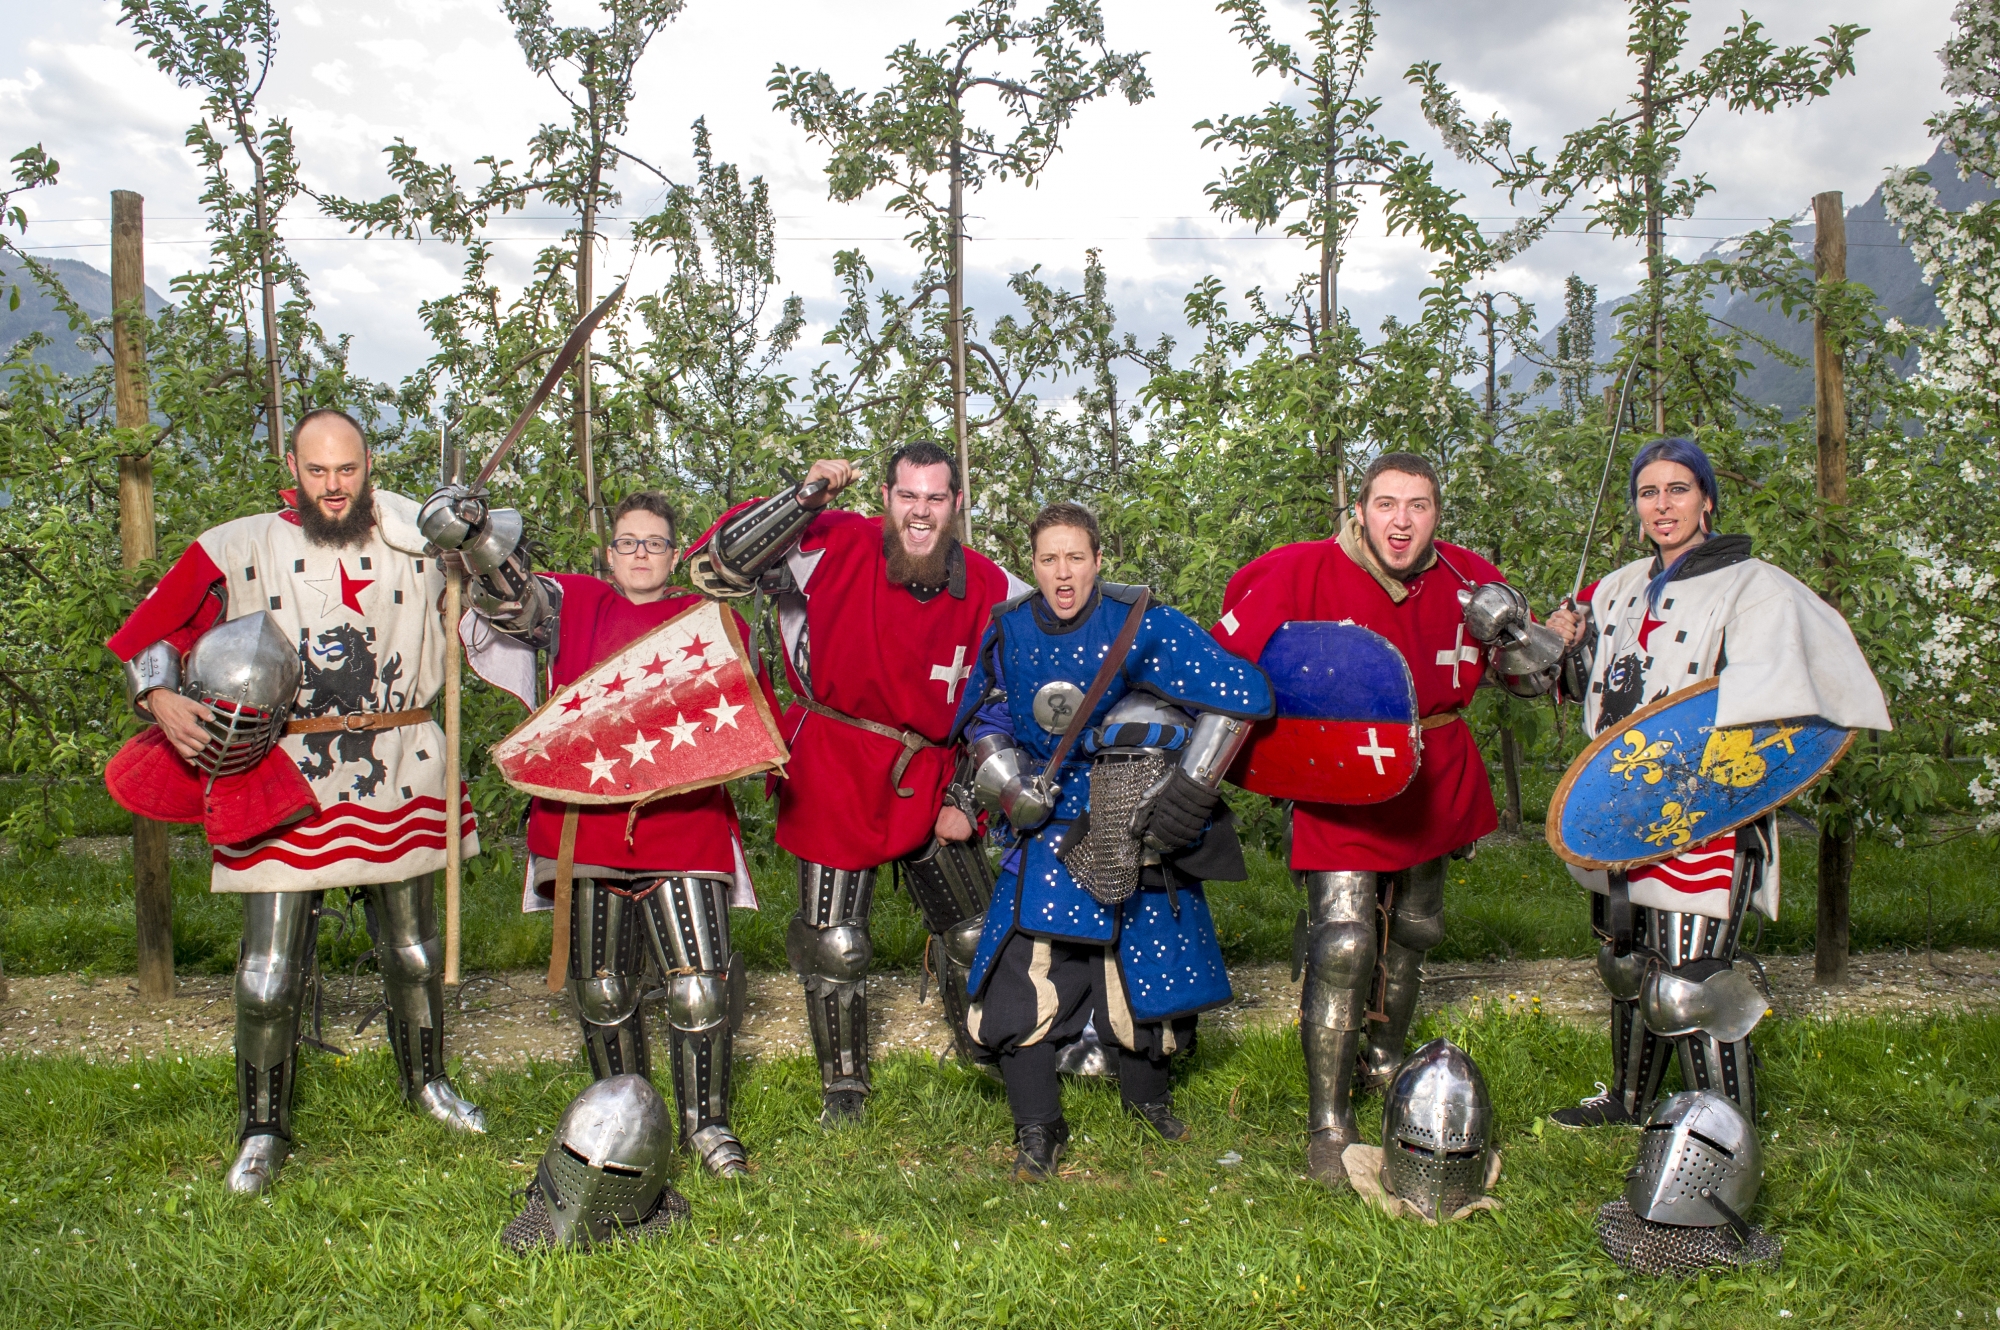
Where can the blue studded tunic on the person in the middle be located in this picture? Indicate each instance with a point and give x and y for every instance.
(1169, 957)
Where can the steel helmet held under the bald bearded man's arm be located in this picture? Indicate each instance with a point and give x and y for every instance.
(247, 675)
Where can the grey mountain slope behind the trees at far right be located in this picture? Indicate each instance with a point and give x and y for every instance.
(1877, 257)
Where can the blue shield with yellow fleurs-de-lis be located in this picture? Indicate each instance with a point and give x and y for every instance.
(1669, 777)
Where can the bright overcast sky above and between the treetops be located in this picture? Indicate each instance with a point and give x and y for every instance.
(445, 75)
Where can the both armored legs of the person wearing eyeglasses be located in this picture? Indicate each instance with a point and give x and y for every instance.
(685, 925)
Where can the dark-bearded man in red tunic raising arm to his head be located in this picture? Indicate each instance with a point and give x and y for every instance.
(881, 621)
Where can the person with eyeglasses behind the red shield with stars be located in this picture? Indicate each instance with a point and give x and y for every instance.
(667, 885)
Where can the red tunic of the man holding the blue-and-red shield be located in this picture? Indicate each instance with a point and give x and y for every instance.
(1451, 801)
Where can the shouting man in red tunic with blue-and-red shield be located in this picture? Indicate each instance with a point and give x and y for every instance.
(1389, 573)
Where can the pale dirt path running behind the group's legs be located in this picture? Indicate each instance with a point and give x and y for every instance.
(507, 1019)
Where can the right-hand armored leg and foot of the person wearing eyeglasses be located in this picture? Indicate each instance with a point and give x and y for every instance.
(689, 927)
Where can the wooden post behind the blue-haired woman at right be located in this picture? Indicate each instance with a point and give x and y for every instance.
(1831, 483)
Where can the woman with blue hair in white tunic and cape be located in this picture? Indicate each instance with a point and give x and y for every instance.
(1699, 607)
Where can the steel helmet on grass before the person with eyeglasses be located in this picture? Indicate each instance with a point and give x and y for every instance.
(605, 1173)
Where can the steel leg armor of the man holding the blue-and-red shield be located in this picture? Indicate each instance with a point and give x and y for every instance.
(1365, 945)
